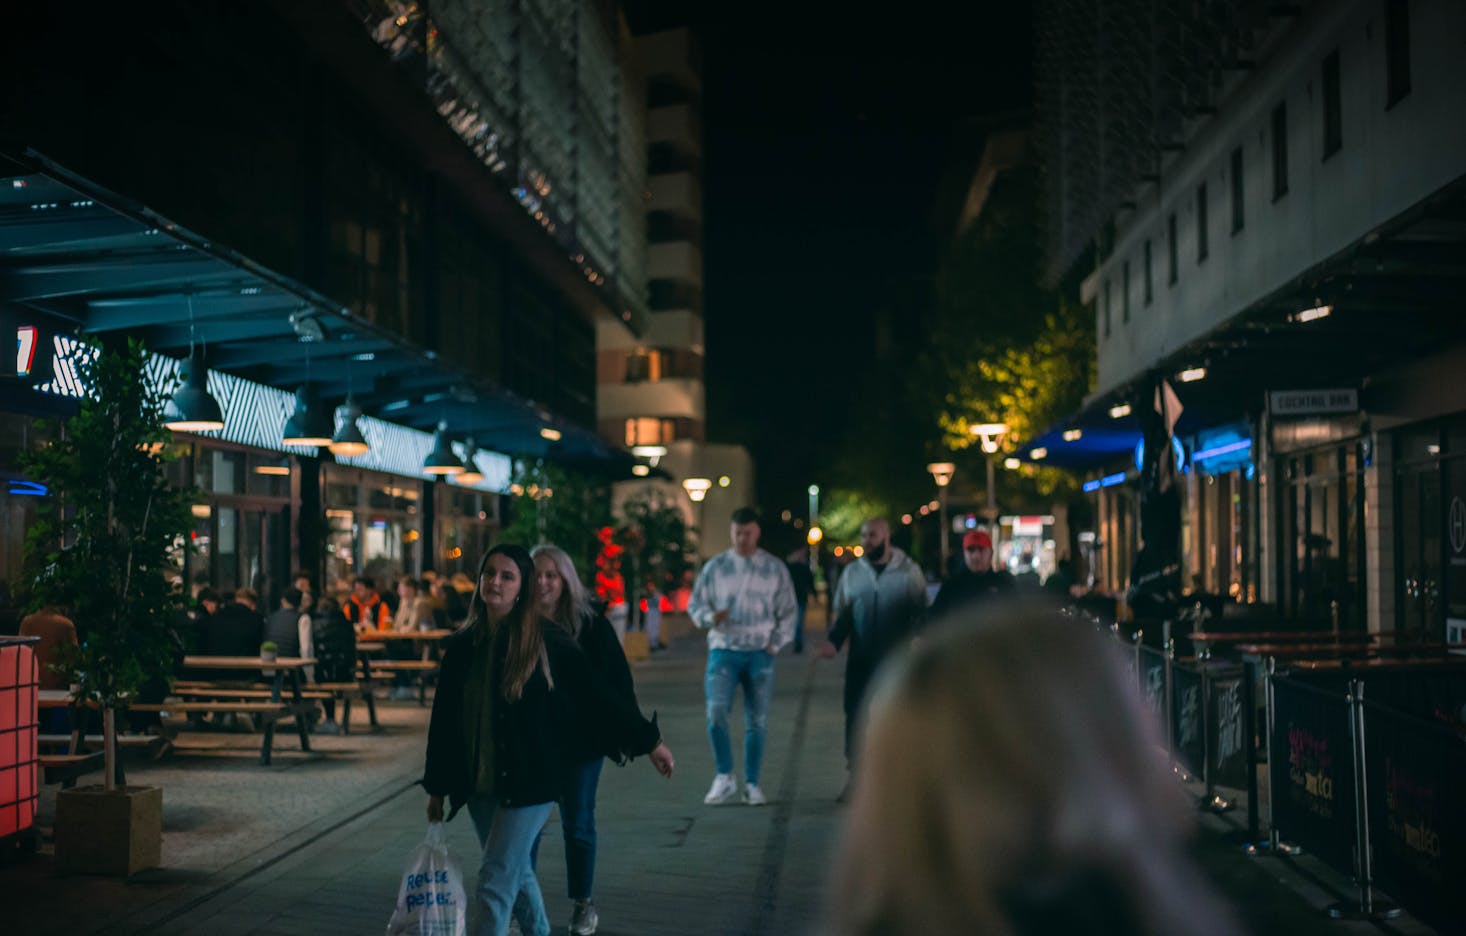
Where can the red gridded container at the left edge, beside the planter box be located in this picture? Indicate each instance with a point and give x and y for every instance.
(20, 681)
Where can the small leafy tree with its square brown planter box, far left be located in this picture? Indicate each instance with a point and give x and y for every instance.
(103, 546)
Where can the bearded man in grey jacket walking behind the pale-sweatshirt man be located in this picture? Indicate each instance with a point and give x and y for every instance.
(880, 602)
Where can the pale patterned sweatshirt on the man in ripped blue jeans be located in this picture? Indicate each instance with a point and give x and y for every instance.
(759, 596)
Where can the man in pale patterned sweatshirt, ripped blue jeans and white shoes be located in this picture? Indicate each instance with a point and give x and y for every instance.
(745, 601)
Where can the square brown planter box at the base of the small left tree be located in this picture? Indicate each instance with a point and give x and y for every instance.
(118, 833)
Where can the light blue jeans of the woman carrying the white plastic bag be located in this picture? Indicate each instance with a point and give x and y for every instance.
(507, 880)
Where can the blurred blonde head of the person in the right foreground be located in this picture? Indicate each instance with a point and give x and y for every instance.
(1009, 784)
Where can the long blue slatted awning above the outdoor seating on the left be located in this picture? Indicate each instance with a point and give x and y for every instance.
(97, 263)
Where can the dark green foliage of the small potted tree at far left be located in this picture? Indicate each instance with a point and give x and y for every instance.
(103, 541)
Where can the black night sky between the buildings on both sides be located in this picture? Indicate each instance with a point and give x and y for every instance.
(826, 143)
